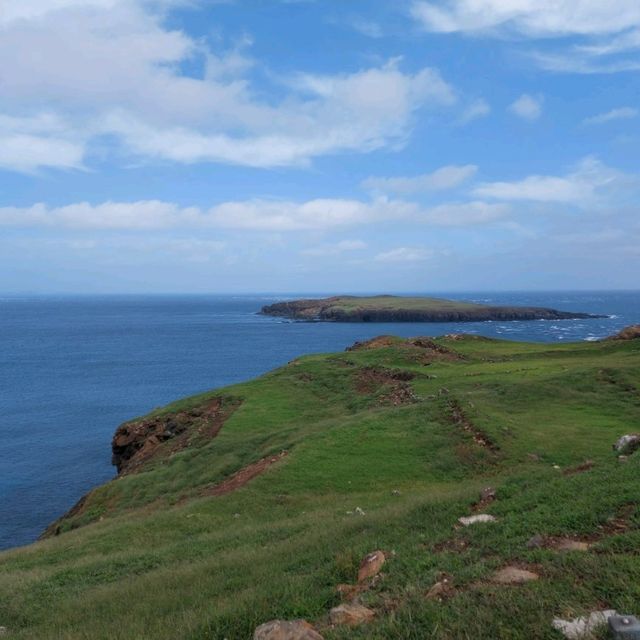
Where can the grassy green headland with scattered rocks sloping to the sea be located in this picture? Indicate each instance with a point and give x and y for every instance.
(458, 487)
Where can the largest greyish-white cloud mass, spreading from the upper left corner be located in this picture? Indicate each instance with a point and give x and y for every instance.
(112, 68)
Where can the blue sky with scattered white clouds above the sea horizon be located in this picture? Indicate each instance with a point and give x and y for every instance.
(204, 146)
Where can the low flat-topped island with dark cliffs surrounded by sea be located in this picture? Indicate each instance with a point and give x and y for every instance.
(386, 308)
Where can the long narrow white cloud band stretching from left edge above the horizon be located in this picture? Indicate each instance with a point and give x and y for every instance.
(251, 215)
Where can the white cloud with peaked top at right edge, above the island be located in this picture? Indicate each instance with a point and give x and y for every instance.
(589, 180)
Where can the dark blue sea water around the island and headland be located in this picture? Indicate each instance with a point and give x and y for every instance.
(73, 368)
